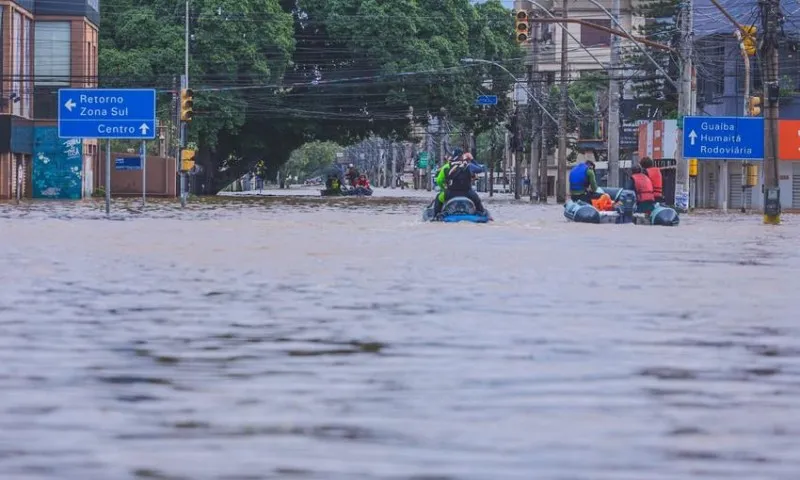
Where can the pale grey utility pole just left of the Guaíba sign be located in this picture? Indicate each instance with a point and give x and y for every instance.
(685, 104)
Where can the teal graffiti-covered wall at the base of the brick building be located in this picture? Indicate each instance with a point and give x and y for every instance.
(57, 165)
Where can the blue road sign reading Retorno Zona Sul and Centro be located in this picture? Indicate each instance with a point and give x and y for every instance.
(107, 113)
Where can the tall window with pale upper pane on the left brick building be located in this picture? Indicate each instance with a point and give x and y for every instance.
(51, 66)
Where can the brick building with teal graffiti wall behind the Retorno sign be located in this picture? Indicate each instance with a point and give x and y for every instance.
(46, 45)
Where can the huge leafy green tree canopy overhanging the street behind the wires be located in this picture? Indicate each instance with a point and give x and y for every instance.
(272, 75)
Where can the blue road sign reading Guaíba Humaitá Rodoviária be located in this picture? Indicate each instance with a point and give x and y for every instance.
(723, 138)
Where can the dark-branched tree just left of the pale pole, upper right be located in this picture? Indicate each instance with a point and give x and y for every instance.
(656, 97)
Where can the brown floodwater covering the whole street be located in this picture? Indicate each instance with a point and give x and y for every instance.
(282, 338)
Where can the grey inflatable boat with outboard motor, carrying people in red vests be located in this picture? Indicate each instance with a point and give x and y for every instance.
(624, 211)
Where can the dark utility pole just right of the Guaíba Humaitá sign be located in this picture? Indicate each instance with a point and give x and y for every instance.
(770, 14)
